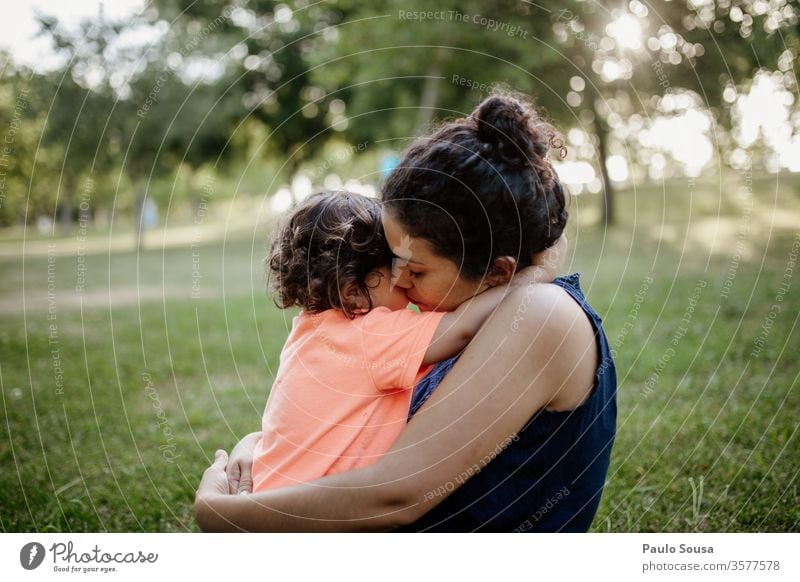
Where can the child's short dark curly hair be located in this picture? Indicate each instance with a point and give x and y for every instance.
(331, 241)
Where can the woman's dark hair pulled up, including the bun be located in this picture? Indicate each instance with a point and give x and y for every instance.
(482, 187)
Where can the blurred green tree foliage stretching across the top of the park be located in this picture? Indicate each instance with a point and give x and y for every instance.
(216, 83)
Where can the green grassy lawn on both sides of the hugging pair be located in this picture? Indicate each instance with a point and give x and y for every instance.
(115, 397)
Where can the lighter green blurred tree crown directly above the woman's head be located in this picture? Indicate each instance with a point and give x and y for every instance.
(399, 67)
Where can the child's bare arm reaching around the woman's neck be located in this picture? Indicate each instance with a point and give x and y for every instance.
(458, 327)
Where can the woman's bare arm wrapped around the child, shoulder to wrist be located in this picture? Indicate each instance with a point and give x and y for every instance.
(537, 349)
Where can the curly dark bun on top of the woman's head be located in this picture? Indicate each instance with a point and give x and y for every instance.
(514, 131)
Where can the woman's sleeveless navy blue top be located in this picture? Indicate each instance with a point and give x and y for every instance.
(550, 478)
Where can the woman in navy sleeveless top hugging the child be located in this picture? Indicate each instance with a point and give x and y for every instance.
(516, 433)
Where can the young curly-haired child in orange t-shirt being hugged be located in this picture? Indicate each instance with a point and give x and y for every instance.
(342, 392)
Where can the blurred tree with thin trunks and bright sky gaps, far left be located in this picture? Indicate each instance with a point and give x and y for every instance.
(132, 107)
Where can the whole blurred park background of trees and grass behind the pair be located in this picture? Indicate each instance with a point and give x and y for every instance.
(148, 148)
